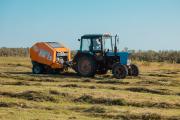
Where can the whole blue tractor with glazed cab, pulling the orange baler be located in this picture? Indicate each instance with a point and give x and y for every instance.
(99, 53)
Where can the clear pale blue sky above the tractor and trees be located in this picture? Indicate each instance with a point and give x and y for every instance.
(141, 24)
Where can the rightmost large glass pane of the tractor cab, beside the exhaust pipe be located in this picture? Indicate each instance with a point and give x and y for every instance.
(108, 45)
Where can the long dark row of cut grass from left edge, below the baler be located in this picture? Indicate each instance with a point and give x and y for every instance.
(31, 95)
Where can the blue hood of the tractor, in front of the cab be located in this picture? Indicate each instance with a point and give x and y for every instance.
(123, 56)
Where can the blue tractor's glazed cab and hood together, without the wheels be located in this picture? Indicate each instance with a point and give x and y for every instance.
(103, 46)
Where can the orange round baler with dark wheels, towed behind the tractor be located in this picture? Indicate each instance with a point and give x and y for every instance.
(49, 57)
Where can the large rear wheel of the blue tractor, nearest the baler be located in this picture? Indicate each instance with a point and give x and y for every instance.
(86, 66)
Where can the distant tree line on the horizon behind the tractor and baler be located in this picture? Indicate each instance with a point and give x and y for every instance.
(150, 55)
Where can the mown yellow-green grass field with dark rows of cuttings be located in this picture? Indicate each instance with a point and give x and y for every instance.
(155, 94)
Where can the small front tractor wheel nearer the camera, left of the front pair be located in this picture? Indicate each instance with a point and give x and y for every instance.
(119, 71)
